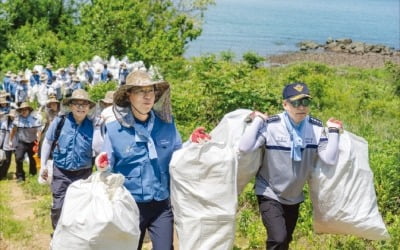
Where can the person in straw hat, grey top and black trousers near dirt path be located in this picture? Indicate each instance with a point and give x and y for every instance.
(26, 128)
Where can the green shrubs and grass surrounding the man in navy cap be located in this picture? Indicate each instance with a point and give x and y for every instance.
(366, 100)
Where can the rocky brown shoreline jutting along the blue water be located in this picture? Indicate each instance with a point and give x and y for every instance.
(341, 52)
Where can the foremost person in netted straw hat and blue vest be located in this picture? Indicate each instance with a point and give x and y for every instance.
(139, 145)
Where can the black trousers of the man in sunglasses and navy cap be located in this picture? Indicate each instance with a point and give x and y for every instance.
(279, 220)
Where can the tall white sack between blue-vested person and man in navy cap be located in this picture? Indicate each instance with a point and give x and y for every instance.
(204, 186)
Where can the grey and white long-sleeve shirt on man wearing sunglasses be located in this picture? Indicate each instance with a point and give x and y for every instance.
(280, 177)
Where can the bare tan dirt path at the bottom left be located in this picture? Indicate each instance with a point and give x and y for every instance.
(24, 208)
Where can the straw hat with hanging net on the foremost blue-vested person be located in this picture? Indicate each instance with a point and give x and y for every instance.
(162, 102)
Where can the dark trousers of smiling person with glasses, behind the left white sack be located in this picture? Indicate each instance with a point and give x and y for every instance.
(61, 181)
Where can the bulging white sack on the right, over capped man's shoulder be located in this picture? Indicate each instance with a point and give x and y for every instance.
(343, 196)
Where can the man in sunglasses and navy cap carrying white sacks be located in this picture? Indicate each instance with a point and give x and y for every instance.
(293, 142)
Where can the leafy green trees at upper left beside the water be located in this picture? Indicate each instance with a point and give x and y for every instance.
(70, 31)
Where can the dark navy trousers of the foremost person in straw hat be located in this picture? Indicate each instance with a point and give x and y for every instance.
(157, 218)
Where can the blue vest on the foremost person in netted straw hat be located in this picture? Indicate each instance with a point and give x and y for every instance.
(146, 179)
